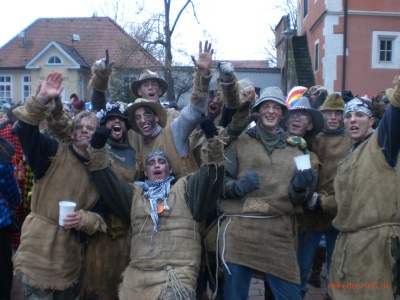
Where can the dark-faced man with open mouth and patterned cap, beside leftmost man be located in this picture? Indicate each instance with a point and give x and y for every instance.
(107, 255)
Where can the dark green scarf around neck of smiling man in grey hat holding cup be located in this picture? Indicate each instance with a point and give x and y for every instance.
(269, 140)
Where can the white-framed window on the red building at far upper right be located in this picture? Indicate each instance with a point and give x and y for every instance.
(385, 50)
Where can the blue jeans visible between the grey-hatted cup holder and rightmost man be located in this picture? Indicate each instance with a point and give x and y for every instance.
(309, 241)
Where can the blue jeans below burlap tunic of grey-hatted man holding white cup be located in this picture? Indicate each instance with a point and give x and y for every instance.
(237, 284)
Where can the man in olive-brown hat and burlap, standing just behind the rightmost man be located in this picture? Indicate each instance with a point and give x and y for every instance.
(331, 145)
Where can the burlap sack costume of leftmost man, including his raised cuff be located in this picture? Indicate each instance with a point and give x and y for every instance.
(49, 255)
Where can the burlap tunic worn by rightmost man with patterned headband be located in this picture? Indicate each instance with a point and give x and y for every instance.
(369, 220)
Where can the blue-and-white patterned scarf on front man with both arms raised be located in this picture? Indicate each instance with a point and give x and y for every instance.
(154, 191)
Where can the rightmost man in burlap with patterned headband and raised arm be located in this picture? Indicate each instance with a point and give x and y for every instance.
(366, 256)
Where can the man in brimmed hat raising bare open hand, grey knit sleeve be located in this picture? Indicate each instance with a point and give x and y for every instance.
(150, 120)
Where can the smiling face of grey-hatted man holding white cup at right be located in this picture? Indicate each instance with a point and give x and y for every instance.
(270, 114)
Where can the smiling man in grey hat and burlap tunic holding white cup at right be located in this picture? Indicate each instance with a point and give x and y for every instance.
(261, 188)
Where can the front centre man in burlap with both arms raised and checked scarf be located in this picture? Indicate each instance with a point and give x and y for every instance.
(165, 215)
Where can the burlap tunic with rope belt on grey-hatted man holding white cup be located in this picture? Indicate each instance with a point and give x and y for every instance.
(253, 241)
